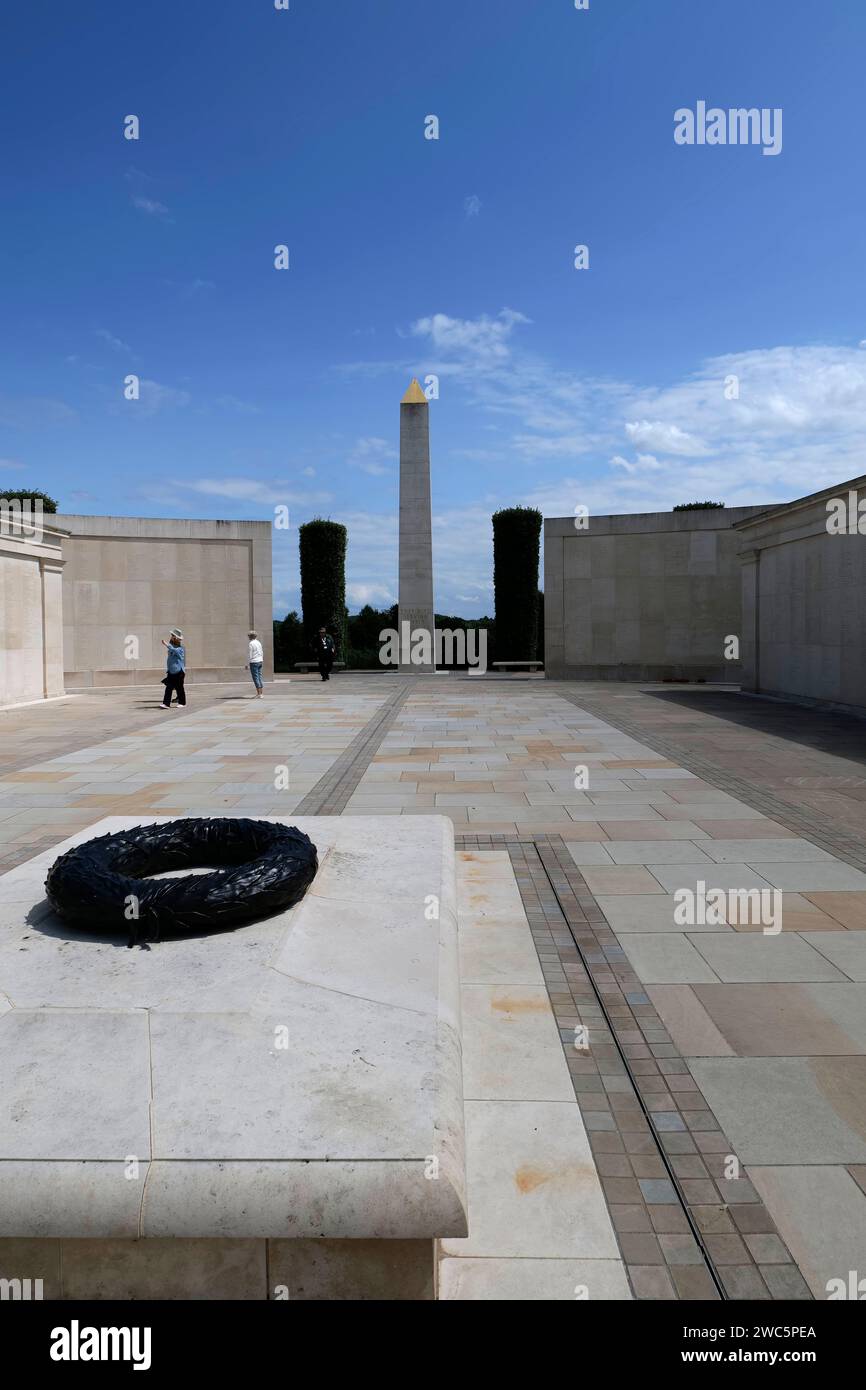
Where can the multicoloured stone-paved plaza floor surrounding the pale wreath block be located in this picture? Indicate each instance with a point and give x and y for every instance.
(655, 1109)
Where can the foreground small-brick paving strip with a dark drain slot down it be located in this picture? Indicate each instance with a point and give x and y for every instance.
(685, 1231)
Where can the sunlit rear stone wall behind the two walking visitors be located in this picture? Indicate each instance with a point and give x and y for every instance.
(137, 578)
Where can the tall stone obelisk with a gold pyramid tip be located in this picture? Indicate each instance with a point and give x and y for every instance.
(415, 594)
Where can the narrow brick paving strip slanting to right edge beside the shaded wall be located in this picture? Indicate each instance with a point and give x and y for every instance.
(829, 836)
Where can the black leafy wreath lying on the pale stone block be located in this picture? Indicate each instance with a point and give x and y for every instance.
(104, 885)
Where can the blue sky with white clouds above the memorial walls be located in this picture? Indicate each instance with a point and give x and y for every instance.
(559, 389)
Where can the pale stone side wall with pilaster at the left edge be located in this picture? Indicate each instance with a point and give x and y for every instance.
(31, 618)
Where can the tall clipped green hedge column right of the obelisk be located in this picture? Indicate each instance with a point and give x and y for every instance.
(516, 551)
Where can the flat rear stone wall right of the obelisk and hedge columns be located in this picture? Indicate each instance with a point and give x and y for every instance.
(644, 597)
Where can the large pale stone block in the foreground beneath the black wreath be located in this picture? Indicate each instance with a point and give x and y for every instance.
(268, 1113)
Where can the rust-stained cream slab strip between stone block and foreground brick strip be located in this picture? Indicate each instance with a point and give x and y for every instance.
(543, 1164)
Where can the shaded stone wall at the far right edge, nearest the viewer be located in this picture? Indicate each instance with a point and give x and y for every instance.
(804, 601)
